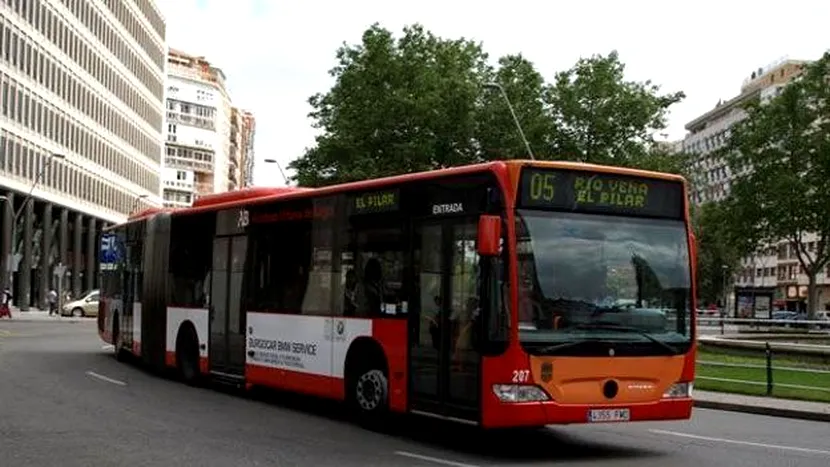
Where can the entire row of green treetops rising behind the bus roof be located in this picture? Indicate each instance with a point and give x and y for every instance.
(421, 102)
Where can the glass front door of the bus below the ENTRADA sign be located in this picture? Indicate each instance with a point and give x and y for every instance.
(445, 366)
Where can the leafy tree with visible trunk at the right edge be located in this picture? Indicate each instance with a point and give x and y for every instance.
(780, 156)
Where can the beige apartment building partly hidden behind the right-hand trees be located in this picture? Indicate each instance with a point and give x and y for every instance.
(775, 272)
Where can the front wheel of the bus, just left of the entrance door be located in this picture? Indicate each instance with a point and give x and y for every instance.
(369, 394)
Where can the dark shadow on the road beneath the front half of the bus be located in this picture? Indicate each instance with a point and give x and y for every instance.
(514, 445)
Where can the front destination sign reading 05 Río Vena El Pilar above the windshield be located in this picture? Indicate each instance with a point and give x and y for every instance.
(598, 192)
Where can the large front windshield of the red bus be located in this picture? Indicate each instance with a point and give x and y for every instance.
(587, 279)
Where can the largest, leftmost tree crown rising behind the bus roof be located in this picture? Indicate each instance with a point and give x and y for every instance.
(397, 106)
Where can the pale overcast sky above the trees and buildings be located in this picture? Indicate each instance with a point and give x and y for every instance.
(277, 53)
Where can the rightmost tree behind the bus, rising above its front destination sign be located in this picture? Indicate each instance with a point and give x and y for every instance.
(601, 117)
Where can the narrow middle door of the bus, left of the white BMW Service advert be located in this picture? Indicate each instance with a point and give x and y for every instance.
(227, 320)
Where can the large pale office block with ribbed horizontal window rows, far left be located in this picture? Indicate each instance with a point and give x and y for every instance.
(81, 113)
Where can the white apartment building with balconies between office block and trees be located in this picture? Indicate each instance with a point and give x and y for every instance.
(204, 133)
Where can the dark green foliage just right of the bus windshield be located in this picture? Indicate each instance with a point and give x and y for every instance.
(717, 259)
